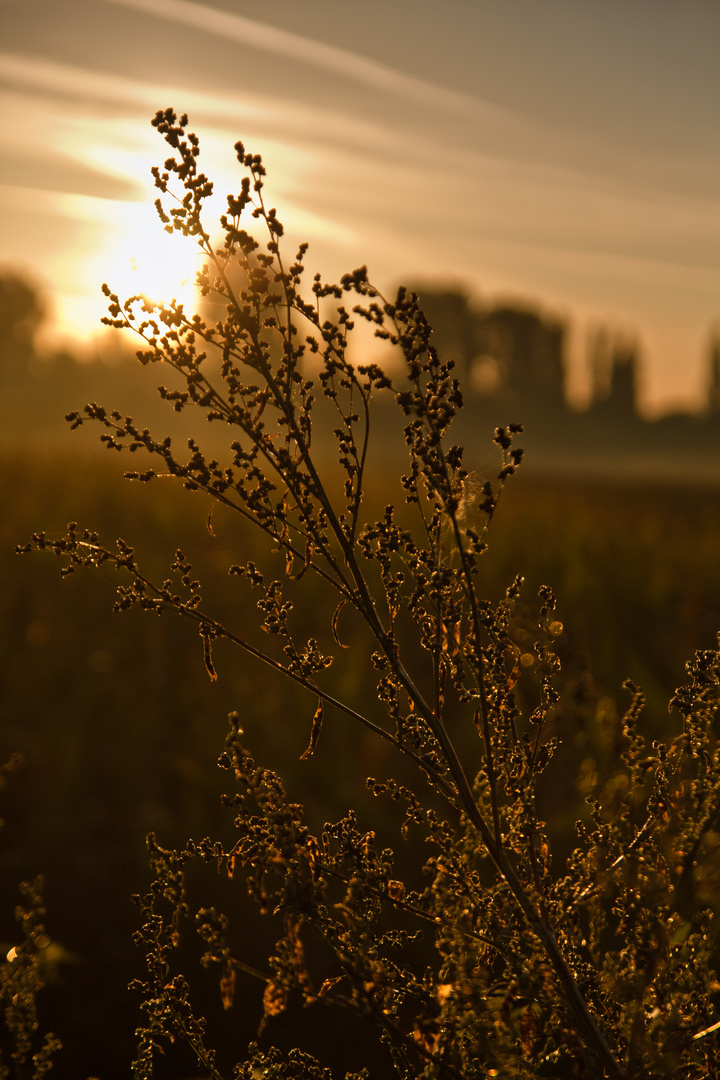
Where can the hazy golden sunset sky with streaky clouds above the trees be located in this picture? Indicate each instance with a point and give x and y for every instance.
(554, 153)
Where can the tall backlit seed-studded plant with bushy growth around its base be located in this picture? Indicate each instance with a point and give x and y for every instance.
(601, 967)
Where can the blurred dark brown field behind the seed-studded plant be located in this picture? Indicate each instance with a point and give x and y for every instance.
(120, 727)
